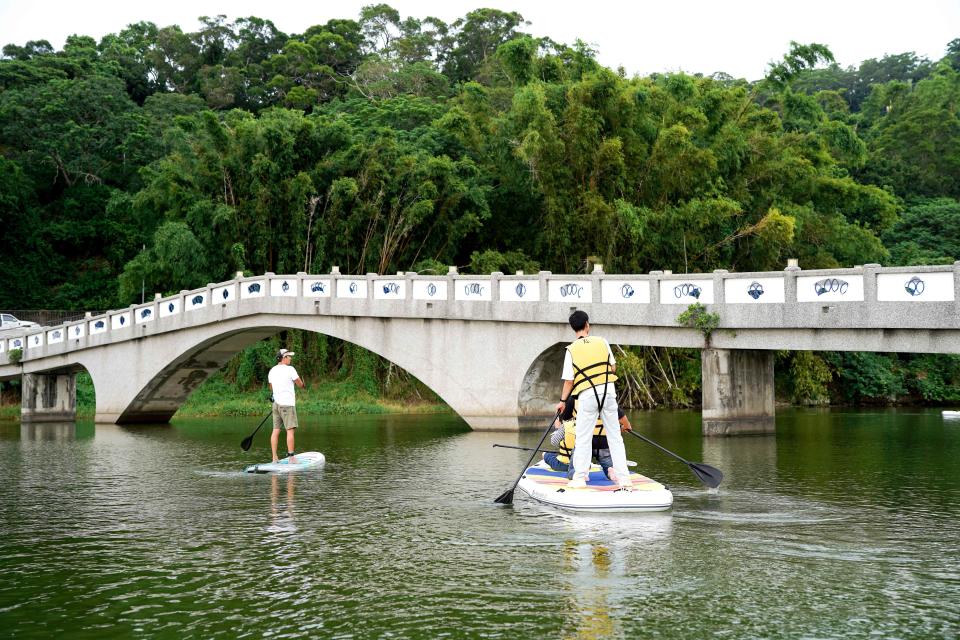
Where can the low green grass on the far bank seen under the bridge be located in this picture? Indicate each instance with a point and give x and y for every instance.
(216, 397)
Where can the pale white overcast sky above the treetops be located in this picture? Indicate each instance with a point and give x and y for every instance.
(740, 37)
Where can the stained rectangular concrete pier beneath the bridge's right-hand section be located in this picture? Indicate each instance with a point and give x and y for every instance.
(737, 392)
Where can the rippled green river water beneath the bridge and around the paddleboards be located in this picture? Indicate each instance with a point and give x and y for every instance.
(846, 524)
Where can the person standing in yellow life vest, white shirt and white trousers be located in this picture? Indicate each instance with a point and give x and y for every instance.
(588, 376)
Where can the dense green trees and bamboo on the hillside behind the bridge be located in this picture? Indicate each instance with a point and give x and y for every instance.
(157, 160)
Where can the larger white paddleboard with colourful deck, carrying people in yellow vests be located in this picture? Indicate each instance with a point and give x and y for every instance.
(550, 487)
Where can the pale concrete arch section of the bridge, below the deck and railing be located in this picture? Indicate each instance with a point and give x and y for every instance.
(483, 373)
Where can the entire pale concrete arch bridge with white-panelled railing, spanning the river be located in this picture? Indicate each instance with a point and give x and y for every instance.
(491, 347)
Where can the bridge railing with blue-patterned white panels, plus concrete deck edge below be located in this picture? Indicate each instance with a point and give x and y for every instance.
(895, 297)
